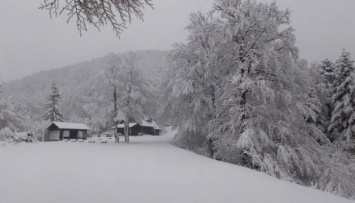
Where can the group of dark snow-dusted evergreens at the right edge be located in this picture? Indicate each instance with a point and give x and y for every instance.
(337, 89)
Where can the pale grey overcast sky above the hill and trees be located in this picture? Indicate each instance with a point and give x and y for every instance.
(30, 41)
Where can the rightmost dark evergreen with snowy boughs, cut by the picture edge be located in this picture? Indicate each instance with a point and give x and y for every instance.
(342, 124)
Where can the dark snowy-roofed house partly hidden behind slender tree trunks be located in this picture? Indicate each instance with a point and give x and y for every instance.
(145, 127)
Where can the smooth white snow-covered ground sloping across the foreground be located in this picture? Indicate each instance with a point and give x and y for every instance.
(148, 169)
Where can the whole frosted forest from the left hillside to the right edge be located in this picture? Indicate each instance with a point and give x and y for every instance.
(237, 92)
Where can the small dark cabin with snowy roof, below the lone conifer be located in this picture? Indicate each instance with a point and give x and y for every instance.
(60, 130)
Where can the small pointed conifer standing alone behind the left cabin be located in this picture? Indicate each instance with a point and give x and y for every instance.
(52, 107)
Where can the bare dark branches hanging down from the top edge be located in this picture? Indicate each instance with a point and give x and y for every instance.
(98, 12)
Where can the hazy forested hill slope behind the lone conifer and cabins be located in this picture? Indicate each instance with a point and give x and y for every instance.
(82, 88)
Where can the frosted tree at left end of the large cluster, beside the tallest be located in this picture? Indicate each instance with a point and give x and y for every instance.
(193, 81)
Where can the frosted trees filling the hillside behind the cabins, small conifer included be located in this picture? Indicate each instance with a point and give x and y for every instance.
(86, 94)
